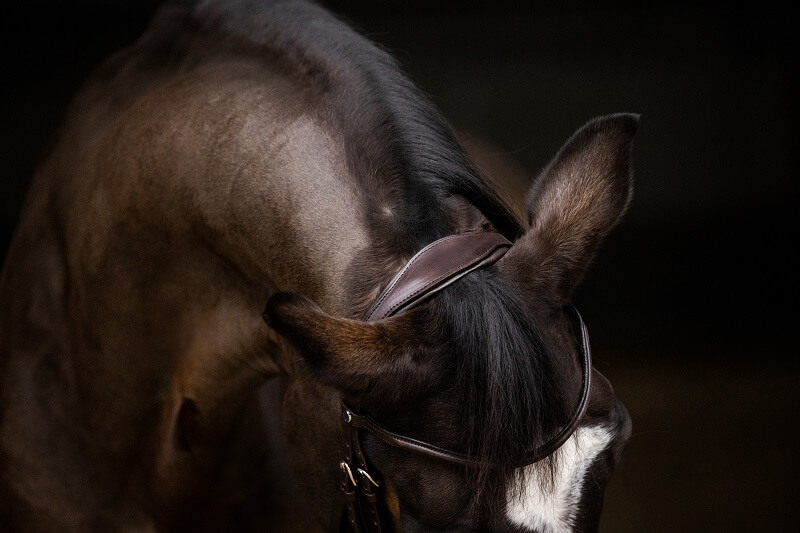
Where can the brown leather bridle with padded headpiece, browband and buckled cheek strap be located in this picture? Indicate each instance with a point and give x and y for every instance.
(433, 268)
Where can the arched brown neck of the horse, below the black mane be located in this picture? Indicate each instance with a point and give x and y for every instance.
(178, 210)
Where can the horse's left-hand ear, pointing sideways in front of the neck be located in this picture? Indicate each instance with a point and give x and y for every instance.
(351, 355)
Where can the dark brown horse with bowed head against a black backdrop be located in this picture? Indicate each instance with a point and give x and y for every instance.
(183, 337)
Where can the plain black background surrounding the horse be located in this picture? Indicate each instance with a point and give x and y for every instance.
(690, 301)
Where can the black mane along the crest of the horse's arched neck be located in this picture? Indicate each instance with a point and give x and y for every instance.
(398, 146)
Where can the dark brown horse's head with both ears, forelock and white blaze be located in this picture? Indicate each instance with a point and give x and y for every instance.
(491, 366)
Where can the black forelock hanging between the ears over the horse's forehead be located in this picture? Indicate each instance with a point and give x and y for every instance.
(510, 391)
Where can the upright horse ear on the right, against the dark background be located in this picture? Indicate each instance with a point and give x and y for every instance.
(572, 205)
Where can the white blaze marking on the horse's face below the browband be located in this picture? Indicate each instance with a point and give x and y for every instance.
(553, 510)
